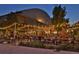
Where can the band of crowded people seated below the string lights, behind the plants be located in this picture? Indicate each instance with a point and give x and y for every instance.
(45, 39)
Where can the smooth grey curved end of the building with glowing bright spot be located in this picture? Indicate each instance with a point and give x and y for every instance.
(38, 14)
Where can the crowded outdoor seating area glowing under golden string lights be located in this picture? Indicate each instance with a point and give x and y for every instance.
(39, 36)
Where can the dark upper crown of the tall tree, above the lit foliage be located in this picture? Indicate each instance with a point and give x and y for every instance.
(59, 14)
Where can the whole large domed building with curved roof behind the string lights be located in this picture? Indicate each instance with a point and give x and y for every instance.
(31, 16)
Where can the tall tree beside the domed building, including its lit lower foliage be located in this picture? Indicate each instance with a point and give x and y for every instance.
(58, 18)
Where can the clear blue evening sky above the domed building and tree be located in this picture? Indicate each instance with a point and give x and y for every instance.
(72, 10)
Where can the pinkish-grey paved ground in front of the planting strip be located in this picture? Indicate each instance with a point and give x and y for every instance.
(9, 49)
